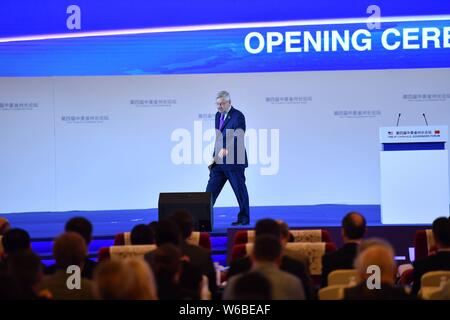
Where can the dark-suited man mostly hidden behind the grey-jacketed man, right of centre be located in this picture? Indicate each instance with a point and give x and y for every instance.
(288, 264)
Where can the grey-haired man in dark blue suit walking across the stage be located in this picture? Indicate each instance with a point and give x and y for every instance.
(229, 158)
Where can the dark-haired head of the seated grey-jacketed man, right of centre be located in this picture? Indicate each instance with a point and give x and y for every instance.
(267, 249)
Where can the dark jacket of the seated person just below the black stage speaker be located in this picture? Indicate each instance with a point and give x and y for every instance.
(200, 258)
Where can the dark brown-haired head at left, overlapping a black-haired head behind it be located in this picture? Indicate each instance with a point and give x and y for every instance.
(69, 249)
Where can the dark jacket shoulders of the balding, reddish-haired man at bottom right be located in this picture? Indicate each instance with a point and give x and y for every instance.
(387, 292)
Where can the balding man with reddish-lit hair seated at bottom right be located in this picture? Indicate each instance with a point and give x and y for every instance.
(382, 288)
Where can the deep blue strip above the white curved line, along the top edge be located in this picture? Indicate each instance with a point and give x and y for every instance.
(30, 17)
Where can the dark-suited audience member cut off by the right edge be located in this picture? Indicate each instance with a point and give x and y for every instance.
(438, 261)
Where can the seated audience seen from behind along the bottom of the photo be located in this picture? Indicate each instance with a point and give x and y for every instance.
(177, 270)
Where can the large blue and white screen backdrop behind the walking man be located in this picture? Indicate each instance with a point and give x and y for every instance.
(103, 106)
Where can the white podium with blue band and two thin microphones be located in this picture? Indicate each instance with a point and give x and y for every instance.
(414, 172)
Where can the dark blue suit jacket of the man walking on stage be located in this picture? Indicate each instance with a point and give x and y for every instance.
(233, 129)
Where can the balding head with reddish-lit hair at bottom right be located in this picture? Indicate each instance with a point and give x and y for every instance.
(379, 256)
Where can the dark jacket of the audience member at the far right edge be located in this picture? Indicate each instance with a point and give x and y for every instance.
(435, 262)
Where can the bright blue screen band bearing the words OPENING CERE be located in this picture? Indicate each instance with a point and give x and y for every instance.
(395, 45)
